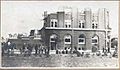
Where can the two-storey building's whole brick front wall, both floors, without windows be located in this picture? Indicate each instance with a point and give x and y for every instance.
(86, 16)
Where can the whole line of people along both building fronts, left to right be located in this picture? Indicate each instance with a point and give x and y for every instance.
(39, 49)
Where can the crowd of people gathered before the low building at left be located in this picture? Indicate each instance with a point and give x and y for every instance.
(25, 49)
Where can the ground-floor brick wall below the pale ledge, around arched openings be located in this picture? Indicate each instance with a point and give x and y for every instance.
(88, 35)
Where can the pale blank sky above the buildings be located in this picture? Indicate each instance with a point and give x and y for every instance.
(22, 16)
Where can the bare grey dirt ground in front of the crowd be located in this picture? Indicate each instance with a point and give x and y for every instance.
(65, 60)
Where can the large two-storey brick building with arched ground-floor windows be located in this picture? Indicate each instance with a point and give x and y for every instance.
(72, 30)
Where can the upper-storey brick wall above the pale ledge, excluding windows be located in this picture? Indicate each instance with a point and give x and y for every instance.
(101, 18)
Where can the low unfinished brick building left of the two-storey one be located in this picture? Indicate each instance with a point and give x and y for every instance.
(20, 39)
